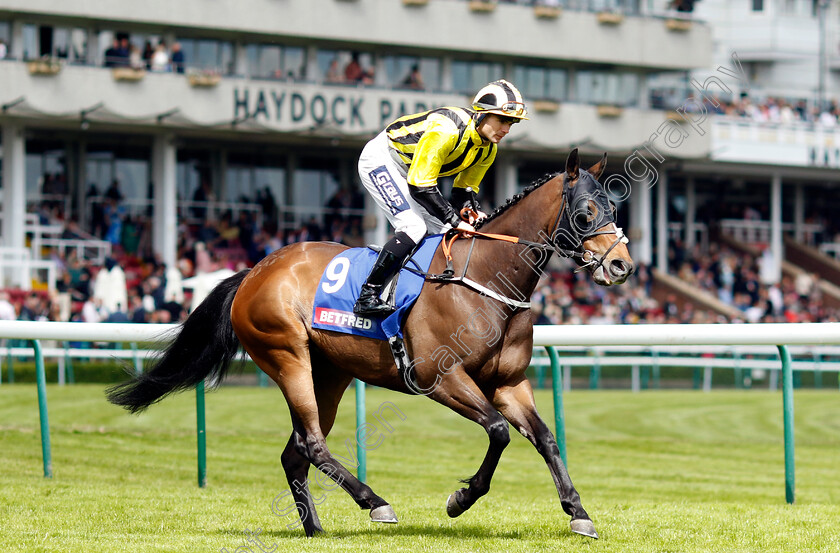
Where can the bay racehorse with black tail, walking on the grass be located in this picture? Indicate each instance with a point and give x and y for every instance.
(482, 344)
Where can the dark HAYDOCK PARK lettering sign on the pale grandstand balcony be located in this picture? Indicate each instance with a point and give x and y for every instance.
(348, 109)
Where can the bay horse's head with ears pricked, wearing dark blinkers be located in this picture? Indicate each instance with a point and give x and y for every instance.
(586, 229)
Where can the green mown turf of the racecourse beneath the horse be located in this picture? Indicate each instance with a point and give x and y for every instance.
(658, 472)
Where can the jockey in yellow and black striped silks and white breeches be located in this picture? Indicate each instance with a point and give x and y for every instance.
(401, 166)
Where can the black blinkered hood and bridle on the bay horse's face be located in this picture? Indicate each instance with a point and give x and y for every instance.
(586, 259)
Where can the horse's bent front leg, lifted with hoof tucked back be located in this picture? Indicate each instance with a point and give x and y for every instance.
(461, 394)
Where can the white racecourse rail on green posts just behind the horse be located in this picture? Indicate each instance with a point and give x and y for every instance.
(780, 335)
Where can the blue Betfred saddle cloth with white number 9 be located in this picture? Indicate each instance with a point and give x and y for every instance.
(342, 280)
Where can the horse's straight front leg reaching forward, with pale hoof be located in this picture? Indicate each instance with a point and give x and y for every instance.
(516, 403)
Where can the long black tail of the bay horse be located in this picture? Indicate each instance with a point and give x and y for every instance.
(204, 347)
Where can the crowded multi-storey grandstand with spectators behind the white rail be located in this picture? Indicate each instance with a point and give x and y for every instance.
(197, 158)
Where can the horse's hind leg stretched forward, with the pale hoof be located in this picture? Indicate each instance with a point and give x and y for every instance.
(289, 366)
